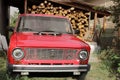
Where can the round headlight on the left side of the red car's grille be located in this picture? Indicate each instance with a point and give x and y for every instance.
(18, 54)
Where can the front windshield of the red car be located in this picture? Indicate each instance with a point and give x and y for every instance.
(41, 23)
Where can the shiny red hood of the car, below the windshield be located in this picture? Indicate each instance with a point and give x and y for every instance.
(44, 41)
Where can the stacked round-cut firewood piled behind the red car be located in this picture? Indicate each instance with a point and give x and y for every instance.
(78, 19)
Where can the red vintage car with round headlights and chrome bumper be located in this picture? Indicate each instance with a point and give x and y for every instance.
(46, 43)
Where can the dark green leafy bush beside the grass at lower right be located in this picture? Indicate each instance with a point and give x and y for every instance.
(111, 59)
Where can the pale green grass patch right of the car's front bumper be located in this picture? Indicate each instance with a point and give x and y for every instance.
(98, 72)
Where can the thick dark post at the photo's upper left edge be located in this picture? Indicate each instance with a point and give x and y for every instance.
(4, 15)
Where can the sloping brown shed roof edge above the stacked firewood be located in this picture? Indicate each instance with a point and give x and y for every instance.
(83, 5)
